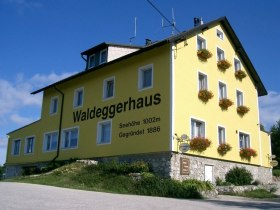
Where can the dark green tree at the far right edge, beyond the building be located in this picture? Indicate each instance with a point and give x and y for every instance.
(275, 140)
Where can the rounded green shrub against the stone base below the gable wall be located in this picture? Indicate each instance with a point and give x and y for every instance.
(239, 176)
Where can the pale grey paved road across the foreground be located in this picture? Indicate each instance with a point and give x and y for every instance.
(31, 196)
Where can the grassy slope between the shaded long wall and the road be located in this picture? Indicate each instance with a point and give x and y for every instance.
(115, 178)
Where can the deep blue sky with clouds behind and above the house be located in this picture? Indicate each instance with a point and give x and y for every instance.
(41, 41)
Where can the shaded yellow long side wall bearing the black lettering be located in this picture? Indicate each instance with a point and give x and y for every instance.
(153, 120)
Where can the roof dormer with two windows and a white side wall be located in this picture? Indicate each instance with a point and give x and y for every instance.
(106, 52)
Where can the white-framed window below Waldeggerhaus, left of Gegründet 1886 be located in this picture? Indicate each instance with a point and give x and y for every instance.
(104, 130)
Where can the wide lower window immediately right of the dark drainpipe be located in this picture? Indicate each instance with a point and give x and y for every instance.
(70, 138)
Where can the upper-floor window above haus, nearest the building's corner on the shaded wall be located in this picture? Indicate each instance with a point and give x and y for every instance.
(145, 75)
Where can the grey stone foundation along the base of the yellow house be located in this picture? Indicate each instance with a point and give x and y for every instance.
(169, 164)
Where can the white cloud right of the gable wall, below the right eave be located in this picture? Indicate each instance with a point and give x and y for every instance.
(269, 109)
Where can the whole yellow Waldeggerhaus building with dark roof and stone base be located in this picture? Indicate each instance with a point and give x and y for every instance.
(162, 103)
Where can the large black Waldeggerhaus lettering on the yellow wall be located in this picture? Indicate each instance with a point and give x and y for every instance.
(110, 111)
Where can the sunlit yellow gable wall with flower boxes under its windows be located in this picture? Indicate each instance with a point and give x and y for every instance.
(188, 105)
